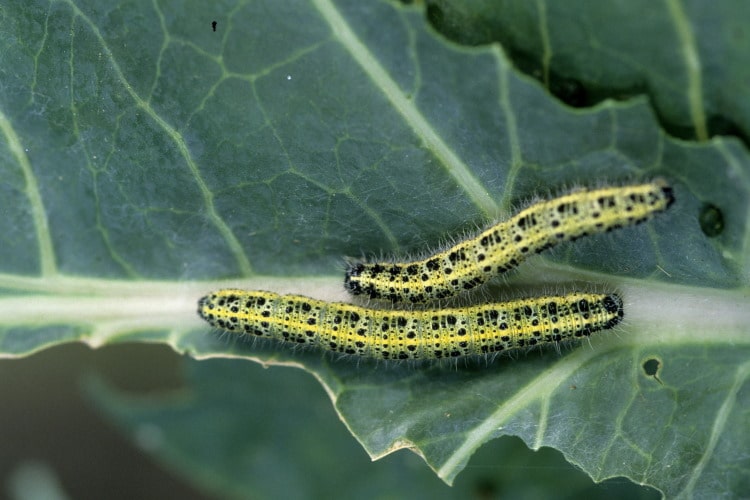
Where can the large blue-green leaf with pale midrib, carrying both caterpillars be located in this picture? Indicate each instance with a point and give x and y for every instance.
(144, 154)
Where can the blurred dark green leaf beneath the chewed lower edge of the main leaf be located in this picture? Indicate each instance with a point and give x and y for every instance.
(296, 447)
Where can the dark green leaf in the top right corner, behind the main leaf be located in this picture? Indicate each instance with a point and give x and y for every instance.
(690, 57)
